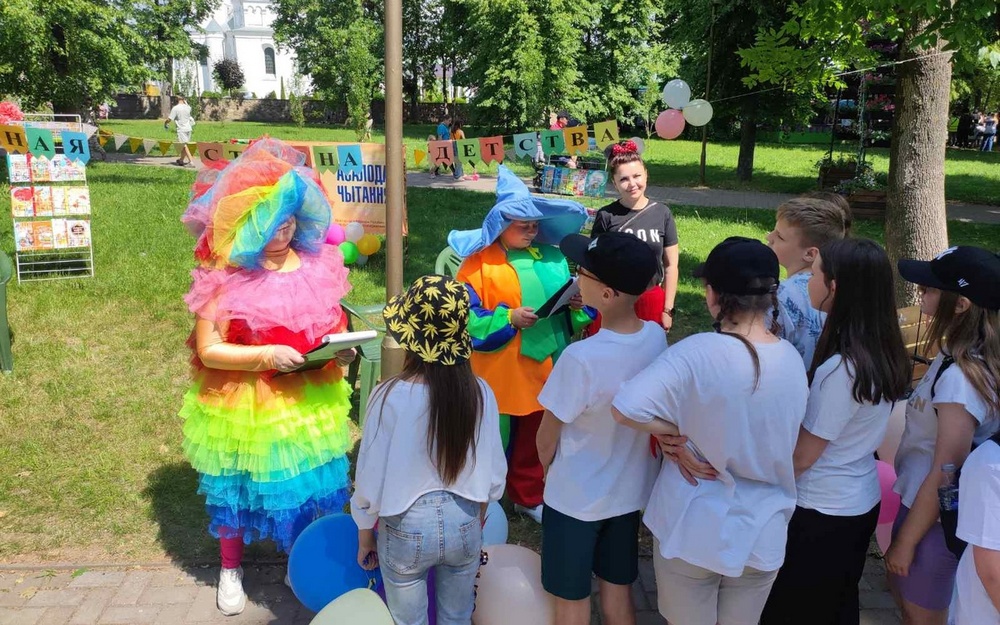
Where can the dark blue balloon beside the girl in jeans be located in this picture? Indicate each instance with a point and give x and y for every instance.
(323, 562)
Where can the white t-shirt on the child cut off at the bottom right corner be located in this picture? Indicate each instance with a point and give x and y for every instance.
(978, 524)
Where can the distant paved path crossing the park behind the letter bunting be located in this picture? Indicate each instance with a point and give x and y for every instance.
(687, 196)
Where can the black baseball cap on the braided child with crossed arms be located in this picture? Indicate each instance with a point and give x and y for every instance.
(740, 266)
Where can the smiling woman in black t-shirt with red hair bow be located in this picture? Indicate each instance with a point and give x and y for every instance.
(651, 222)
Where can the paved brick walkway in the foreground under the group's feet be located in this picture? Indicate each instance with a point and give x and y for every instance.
(174, 595)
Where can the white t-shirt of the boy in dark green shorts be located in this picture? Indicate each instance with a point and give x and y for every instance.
(601, 469)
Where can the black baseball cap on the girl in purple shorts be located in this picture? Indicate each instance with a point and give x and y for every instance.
(969, 271)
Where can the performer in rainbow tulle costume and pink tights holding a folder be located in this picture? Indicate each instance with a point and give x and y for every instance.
(270, 450)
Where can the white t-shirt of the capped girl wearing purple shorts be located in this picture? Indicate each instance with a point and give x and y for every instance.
(915, 457)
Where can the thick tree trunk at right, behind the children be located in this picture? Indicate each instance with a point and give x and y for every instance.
(915, 224)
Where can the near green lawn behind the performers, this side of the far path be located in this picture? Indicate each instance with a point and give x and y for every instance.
(92, 467)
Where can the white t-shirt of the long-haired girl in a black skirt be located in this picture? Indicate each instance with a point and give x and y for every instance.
(844, 480)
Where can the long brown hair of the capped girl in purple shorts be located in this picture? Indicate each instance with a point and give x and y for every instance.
(972, 338)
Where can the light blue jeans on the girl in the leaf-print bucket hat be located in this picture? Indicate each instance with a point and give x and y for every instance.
(440, 530)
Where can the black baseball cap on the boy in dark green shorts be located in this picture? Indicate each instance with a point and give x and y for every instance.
(618, 259)
